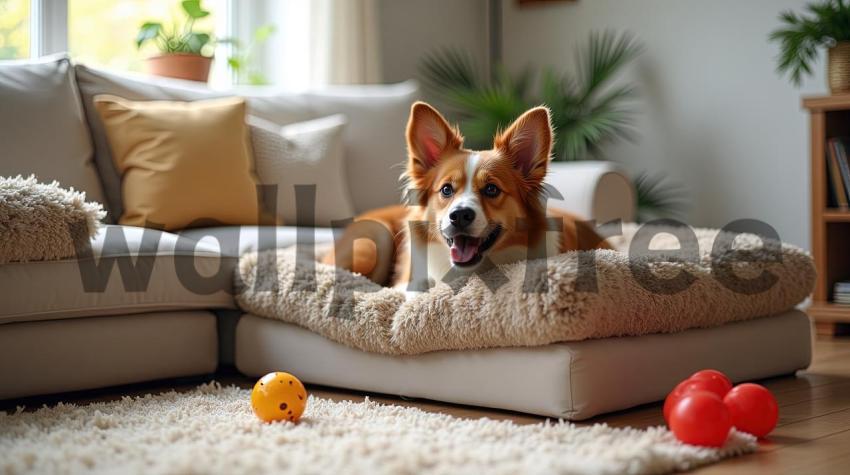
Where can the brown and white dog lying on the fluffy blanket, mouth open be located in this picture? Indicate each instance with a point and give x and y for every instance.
(467, 206)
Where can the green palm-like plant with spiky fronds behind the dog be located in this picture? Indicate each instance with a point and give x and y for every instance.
(589, 109)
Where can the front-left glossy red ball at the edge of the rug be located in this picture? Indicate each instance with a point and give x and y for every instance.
(701, 418)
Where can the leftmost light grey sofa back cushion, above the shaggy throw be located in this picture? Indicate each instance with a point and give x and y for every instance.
(43, 127)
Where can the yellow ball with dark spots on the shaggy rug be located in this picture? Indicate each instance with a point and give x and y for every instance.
(279, 396)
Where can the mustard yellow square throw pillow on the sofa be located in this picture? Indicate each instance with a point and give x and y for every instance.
(182, 164)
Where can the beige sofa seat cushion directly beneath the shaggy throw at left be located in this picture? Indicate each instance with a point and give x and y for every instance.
(126, 270)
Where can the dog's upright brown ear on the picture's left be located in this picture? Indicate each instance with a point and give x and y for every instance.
(429, 136)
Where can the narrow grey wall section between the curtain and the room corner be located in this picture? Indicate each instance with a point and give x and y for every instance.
(412, 28)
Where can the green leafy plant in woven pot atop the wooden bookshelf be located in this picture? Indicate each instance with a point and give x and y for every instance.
(802, 36)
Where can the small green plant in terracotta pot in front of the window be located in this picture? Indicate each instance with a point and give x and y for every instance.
(184, 52)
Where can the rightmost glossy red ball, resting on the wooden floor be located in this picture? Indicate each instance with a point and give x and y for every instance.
(753, 409)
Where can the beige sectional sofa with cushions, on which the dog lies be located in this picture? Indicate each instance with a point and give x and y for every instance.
(63, 330)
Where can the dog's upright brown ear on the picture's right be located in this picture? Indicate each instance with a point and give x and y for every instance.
(528, 143)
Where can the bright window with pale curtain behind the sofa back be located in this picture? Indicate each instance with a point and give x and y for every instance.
(291, 43)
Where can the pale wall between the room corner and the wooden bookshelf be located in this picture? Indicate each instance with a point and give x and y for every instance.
(714, 115)
